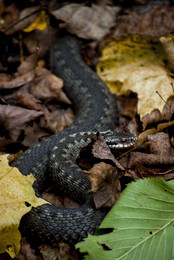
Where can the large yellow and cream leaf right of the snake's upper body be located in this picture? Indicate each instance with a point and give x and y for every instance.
(136, 64)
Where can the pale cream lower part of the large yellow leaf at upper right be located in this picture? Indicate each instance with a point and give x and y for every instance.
(145, 81)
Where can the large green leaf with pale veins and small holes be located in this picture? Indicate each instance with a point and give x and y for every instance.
(142, 222)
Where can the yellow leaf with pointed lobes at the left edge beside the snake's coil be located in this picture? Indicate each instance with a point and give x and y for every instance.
(17, 198)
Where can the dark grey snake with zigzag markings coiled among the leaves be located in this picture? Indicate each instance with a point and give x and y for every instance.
(54, 160)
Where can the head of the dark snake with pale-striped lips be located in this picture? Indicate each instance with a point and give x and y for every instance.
(119, 140)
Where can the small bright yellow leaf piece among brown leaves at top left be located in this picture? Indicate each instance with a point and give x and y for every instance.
(40, 23)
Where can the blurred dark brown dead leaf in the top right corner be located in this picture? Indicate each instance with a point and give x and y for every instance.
(155, 19)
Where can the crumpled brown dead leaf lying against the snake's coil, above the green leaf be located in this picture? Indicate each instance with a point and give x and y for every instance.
(105, 184)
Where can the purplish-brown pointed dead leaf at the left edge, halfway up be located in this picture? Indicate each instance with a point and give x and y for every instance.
(14, 119)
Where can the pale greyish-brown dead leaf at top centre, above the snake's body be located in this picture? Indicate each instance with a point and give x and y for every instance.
(87, 22)
